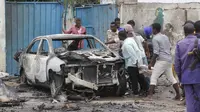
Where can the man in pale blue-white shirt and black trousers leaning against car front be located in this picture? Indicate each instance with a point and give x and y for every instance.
(130, 53)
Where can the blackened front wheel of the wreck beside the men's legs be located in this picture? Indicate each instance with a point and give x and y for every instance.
(122, 87)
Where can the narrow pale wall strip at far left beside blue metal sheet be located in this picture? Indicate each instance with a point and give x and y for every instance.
(2, 36)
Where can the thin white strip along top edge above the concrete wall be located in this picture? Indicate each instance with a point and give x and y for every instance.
(168, 1)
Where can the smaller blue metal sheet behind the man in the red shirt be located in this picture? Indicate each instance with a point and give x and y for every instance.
(97, 18)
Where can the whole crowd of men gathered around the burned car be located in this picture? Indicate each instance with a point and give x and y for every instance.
(134, 48)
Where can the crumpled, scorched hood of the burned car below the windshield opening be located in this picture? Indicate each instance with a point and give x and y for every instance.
(91, 55)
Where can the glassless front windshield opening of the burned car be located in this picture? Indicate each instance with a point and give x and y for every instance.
(63, 45)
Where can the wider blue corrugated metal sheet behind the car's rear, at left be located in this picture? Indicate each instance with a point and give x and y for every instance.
(25, 21)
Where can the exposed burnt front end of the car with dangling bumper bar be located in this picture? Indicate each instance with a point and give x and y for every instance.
(93, 75)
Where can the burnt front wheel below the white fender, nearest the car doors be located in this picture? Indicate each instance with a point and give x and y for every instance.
(56, 84)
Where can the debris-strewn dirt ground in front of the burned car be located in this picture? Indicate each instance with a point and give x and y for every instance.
(39, 100)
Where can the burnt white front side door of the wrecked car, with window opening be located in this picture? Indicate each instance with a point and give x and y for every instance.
(42, 58)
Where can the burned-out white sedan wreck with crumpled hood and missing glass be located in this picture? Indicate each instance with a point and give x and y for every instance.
(74, 62)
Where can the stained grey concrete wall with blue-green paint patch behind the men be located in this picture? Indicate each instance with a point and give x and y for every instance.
(145, 14)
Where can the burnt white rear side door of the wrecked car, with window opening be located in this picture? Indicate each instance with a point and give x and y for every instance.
(29, 60)
